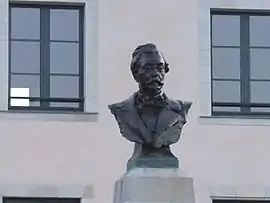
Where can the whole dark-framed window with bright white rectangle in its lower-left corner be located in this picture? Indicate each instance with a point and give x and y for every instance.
(46, 57)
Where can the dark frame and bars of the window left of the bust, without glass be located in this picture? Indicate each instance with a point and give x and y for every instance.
(44, 97)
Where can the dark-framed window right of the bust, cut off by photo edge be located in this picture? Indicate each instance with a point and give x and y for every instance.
(240, 48)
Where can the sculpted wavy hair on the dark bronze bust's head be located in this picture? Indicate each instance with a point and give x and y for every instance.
(144, 49)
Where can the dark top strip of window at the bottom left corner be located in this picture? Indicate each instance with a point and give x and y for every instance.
(40, 200)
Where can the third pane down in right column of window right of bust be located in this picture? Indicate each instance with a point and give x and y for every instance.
(259, 92)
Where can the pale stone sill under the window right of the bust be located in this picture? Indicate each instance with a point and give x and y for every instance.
(234, 120)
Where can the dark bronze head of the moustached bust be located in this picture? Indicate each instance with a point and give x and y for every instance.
(148, 67)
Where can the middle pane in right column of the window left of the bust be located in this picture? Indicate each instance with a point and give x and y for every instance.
(64, 58)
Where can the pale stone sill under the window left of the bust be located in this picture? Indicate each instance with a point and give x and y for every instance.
(48, 116)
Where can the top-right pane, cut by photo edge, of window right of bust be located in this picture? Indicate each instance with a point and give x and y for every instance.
(259, 30)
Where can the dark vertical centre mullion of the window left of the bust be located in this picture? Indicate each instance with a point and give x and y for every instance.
(45, 56)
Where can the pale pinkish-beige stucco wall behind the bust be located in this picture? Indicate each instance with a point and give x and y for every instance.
(226, 157)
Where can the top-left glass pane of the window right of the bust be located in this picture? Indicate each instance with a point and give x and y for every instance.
(225, 30)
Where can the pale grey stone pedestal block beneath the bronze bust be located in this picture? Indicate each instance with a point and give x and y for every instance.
(150, 185)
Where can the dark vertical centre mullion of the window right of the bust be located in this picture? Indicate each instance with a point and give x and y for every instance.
(244, 63)
